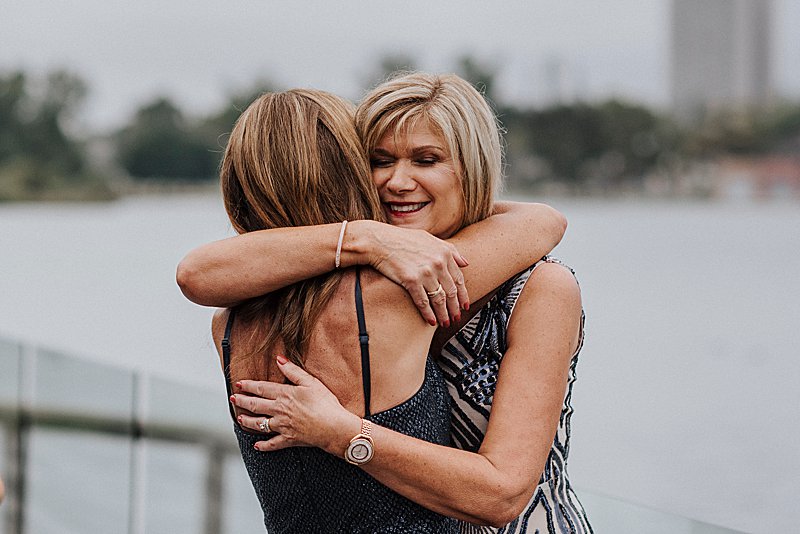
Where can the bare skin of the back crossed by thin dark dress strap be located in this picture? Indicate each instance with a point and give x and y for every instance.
(398, 344)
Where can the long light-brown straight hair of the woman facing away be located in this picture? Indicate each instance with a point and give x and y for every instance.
(294, 159)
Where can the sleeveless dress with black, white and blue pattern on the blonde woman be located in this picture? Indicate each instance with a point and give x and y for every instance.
(470, 361)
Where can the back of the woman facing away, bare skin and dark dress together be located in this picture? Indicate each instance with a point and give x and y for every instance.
(307, 490)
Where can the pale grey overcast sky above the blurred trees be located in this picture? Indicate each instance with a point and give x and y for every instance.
(197, 52)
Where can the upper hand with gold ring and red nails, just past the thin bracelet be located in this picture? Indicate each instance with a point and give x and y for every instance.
(419, 262)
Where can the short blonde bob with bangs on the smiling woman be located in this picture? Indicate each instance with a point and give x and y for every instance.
(462, 117)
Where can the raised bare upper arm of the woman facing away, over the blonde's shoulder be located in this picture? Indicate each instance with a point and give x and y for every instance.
(502, 245)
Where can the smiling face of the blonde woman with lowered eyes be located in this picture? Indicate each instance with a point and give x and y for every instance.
(418, 181)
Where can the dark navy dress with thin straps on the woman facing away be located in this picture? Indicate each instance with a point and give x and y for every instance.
(306, 490)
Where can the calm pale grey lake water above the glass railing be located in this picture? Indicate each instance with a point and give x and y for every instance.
(686, 398)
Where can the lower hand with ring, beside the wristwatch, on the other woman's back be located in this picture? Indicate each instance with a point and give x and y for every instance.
(306, 413)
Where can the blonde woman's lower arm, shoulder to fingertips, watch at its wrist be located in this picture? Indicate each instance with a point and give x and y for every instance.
(491, 486)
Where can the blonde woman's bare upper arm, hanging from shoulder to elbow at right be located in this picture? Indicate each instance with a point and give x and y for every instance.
(542, 337)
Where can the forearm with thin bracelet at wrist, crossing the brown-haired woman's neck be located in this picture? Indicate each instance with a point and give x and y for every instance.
(223, 273)
